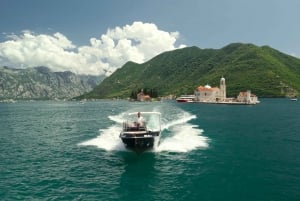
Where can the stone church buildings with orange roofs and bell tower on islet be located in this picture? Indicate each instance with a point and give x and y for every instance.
(208, 94)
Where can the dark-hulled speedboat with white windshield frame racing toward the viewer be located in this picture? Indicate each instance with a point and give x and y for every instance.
(140, 137)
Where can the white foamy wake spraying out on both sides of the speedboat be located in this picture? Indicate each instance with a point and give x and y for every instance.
(178, 135)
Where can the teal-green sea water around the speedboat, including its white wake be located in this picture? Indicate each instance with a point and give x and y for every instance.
(70, 151)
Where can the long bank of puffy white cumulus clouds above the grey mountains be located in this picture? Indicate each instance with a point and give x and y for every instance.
(138, 42)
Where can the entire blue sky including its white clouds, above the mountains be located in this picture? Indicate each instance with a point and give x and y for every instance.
(71, 24)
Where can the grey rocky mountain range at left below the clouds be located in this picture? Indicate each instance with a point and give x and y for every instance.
(42, 83)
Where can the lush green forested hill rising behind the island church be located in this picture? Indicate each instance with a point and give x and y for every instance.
(265, 71)
